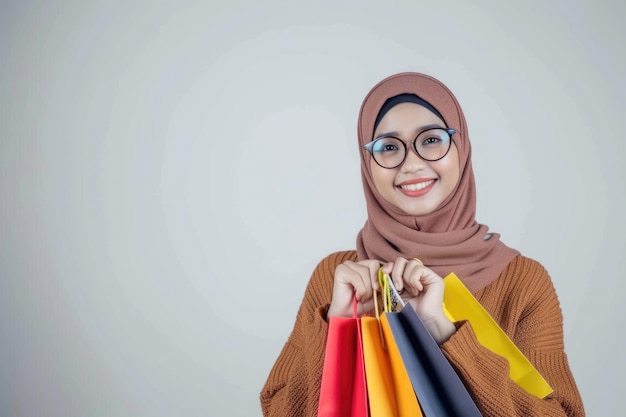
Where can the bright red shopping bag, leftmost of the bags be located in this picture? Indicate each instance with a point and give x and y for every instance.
(343, 392)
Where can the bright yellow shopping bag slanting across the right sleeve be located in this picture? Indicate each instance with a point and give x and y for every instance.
(460, 304)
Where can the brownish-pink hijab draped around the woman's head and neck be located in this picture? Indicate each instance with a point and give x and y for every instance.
(449, 239)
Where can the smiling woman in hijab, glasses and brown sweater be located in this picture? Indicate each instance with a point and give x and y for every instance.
(421, 203)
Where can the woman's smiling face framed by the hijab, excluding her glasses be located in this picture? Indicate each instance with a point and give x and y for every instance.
(417, 187)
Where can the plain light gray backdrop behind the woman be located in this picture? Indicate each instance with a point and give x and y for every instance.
(171, 173)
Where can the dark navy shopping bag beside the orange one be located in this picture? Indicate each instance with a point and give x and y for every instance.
(440, 391)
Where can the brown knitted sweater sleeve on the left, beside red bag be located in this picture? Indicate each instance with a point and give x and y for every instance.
(293, 385)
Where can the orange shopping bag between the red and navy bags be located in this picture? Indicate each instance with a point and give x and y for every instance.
(389, 389)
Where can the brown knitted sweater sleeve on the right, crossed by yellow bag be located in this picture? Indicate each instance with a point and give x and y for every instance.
(524, 303)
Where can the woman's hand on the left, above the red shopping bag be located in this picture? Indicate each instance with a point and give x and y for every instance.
(354, 279)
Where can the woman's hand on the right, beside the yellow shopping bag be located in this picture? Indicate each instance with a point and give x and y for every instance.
(423, 289)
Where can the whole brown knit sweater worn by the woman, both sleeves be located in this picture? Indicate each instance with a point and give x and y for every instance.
(522, 301)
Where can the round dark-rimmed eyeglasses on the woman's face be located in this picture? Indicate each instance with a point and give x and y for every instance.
(430, 145)
